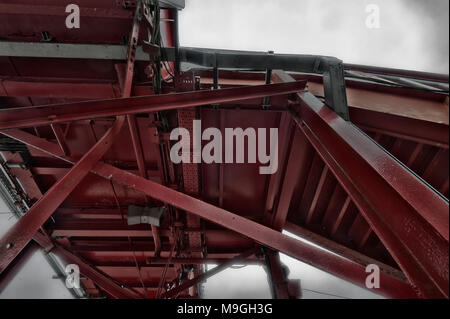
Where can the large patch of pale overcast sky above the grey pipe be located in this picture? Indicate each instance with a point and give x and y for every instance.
(413, 34)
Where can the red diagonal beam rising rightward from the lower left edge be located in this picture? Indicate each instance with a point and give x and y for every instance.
(23, 231)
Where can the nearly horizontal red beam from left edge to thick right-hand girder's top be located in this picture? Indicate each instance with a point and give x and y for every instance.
(56, 113)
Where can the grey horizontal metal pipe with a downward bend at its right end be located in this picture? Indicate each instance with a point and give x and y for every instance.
(331, 67)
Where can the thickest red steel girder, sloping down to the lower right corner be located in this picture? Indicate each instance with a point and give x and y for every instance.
(410, 218)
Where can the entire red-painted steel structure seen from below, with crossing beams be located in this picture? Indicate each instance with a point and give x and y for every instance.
(335, 187)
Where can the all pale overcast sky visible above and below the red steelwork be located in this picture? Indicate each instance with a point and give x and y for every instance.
(413, 35)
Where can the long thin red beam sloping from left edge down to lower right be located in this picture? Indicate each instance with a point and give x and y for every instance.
(311, 254)
